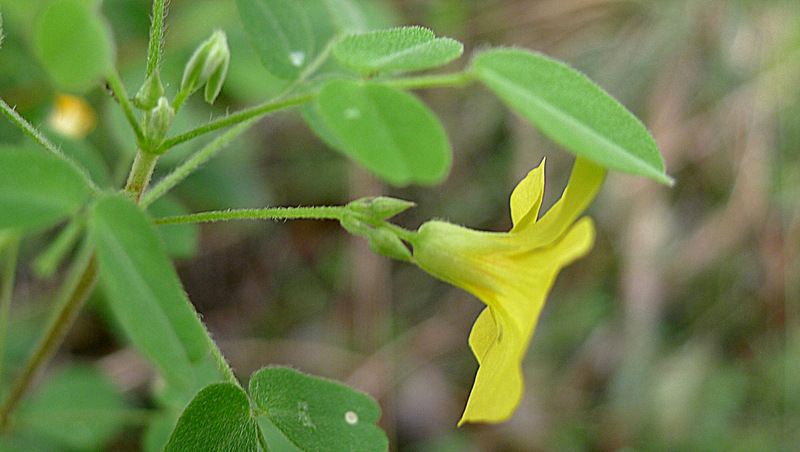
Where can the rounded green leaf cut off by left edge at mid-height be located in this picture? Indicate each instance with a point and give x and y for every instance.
(37, 189)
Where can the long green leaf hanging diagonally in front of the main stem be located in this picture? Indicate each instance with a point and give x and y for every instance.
(143, 290)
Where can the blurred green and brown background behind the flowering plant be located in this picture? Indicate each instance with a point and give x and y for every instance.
(680, 331)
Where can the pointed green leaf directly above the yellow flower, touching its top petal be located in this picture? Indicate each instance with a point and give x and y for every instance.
(571, 110)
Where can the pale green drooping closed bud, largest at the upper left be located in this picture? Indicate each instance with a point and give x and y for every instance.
(208, 59)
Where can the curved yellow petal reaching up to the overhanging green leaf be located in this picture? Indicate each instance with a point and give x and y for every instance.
(583, 185)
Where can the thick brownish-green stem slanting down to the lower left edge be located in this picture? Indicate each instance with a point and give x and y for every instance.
(76, 288)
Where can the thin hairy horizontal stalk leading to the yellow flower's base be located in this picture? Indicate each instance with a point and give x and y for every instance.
(270, 213)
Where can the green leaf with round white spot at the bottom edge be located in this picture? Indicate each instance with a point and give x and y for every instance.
(318, 414)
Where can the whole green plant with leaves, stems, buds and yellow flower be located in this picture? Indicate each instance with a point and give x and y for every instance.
(351, 82)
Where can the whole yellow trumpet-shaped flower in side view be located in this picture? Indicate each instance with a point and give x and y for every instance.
(512, 273)
